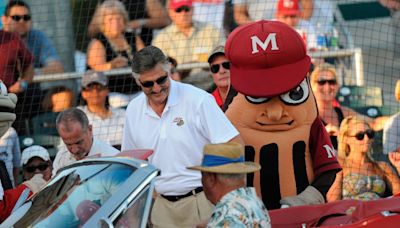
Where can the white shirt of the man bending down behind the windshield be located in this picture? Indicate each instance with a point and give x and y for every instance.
(64, 157)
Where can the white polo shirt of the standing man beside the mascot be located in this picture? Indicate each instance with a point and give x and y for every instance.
(190, 120)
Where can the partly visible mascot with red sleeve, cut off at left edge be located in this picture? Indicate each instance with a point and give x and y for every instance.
(8, 198)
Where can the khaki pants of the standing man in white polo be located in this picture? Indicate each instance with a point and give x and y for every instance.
(186, 212)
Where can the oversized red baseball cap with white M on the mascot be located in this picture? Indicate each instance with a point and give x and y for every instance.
(268, 58)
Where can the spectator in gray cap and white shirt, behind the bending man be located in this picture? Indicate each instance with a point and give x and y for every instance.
(107, 123)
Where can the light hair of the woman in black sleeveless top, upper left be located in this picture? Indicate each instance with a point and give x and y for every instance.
(107, 6)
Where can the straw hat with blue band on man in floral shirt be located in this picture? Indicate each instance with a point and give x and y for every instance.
(225, 158)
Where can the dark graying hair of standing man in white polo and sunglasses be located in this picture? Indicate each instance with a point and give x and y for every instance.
(148, 58)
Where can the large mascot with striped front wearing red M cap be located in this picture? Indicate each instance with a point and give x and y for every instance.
(277, 117)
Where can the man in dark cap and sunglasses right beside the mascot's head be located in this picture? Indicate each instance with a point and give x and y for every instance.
(219, 67)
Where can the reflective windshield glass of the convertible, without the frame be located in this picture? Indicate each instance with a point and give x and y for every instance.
(72, 197)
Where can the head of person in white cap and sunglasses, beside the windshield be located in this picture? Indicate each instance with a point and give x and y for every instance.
(36, 160)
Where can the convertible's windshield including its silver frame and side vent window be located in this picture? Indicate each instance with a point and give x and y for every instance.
(95, 192)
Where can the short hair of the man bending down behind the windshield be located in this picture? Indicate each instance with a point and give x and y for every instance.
(72, 115)
